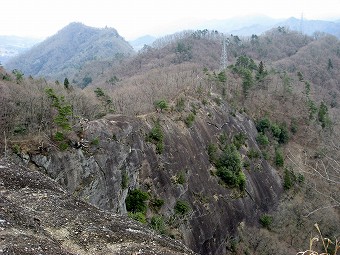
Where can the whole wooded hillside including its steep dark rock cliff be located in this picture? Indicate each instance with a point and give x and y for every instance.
(242, 160)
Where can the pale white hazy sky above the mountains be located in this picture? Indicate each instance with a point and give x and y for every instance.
(133, 18)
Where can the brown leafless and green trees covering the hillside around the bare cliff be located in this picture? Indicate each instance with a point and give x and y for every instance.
(286, 82)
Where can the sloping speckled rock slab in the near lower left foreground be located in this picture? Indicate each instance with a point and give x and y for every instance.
(37, 216)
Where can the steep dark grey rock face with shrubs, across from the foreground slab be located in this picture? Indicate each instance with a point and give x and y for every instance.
(95, 172)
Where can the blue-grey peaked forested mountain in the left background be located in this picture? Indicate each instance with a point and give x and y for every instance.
(65, 54)
